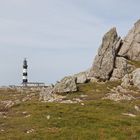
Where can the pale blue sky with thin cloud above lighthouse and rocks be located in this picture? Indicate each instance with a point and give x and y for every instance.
(58, 37)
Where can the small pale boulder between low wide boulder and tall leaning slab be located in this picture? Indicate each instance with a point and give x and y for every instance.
(81, 78)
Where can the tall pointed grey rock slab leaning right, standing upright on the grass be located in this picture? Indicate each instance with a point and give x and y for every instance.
(105, 60)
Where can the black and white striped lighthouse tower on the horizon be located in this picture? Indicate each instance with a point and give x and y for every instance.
(25, 74)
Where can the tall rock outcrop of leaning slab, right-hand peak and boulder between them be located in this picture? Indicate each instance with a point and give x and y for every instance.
(111, 63)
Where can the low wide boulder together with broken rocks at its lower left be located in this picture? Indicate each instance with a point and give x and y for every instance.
(51, 93)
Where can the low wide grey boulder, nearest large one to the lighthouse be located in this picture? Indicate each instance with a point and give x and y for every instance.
(67, 84)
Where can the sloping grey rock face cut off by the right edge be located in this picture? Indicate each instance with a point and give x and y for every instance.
(131, 44)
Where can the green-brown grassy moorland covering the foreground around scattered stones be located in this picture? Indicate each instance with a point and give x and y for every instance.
(94, 119)
